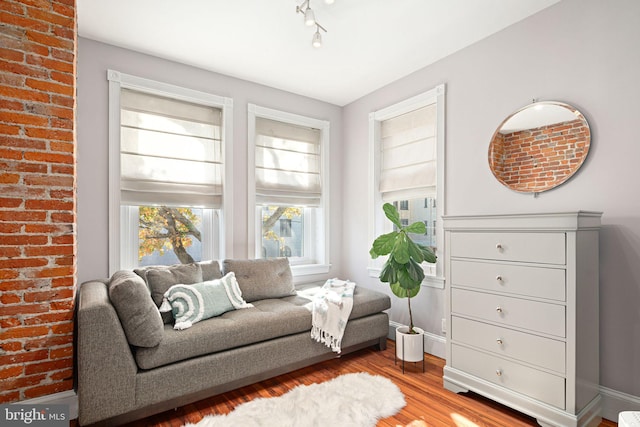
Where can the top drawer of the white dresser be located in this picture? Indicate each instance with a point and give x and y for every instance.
(546, 248)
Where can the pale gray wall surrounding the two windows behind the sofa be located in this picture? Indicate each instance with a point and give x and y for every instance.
(93, 61)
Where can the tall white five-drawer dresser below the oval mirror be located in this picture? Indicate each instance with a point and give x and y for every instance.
(522, 311)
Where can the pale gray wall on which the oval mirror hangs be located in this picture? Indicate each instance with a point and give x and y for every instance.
(583, 52)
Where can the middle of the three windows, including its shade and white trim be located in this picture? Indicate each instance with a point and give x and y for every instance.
(288, 185)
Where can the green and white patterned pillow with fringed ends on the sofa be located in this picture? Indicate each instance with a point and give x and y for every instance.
(192, 303)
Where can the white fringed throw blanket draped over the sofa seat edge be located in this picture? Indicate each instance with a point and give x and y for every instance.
(330, 311)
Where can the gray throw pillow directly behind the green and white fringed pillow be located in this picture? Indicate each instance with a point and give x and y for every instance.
(161, 279)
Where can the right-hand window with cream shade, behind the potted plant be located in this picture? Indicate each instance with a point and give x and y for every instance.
(407, 169)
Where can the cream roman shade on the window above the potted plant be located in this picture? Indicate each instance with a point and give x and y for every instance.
(408, 166)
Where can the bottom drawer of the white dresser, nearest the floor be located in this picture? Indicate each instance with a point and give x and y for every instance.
(531, 382)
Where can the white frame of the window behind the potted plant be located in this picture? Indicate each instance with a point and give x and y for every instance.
(378, 224)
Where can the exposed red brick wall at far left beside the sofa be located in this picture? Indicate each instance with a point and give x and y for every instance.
(37, 196)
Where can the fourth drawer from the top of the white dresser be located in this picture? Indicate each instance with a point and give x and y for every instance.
(544, 352)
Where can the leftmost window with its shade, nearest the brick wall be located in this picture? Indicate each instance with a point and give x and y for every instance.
(166, 171)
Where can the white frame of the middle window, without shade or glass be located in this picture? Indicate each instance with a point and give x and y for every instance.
(316, 220)
